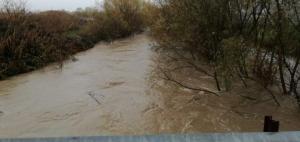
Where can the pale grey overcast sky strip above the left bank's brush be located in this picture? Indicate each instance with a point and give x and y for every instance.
(69, 5)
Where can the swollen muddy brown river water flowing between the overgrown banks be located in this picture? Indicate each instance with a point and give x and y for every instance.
(109, 91)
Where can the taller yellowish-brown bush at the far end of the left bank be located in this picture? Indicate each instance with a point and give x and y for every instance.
(119, 18)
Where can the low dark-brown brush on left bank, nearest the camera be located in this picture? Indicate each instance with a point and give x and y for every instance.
(32, 40)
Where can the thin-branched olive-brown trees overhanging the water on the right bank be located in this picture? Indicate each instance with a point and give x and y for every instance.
(228, 39)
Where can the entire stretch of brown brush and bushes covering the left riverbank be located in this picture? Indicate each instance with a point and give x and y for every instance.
(32, 40)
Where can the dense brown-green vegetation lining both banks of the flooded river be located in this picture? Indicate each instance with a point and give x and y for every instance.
(257, 40)
